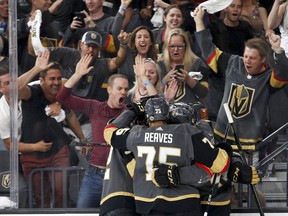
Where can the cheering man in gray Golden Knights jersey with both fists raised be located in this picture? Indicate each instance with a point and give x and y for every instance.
(249, 82)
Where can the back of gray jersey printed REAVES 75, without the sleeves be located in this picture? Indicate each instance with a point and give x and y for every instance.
(170, 144)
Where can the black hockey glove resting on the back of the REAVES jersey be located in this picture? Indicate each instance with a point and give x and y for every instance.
(165, 175)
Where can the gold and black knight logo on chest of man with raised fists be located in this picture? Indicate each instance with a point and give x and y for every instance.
(240, 100)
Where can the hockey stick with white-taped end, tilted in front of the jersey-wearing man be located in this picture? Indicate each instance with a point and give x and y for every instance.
(231, 123)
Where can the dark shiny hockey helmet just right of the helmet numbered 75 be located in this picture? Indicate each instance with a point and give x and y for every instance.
(182, 113)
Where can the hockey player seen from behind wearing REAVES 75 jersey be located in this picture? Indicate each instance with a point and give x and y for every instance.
(159, 143)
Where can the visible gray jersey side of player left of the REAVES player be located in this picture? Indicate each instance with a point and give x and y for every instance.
(117, 194)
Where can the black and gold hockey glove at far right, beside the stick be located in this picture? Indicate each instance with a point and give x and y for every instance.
(242, 173)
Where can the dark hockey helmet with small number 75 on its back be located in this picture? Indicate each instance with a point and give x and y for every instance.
(156, 109)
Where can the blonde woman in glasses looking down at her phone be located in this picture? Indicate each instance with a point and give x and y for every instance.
(178, 60)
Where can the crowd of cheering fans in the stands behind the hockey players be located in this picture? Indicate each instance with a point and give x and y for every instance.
(94, 57)
